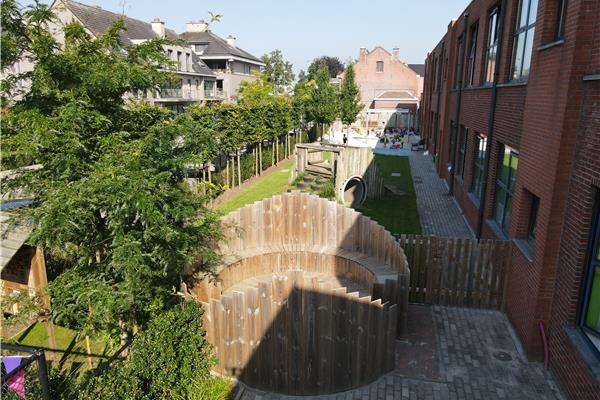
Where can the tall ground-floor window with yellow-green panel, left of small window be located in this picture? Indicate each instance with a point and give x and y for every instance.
(506, 176)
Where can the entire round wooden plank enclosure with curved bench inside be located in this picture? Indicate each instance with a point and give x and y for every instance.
(309, 298)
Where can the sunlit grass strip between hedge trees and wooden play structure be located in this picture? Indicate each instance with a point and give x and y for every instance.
(270, 185)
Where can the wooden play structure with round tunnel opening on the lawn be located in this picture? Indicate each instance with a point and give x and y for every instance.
(353, 168)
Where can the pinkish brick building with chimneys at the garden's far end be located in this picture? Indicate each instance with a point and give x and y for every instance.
(389, 89)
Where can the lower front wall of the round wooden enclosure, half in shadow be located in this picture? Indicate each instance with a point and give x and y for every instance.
(298, 336)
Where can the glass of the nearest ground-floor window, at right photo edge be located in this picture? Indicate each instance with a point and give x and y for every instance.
(590, 318)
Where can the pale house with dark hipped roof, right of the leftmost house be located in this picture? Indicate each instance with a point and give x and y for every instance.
(231, 64)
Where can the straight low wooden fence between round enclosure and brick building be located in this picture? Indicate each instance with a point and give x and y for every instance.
(457, 272)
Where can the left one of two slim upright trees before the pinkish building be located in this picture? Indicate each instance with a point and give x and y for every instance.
(324, 101)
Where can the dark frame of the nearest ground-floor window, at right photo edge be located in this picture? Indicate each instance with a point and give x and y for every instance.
(592, 262)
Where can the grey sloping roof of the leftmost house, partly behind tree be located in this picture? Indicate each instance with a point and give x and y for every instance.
(98, 21)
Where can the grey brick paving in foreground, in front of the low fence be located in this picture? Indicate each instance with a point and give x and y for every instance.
(472, 354)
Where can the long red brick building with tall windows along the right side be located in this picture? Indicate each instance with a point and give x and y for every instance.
(511, 111)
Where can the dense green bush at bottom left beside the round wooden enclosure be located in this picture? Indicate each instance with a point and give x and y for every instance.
(164, 360)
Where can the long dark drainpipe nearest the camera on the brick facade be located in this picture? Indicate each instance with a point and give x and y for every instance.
(491, 118)
